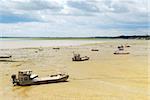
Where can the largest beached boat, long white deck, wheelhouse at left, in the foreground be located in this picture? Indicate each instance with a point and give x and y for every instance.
(25, 77)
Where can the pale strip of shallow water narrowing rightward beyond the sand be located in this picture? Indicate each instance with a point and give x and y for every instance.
(28, 43)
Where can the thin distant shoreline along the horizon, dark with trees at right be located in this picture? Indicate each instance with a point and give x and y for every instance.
(144, 37)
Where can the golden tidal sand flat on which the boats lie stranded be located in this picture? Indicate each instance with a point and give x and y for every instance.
(104, 77)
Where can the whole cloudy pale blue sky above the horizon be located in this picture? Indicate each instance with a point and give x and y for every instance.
(74, 18)
